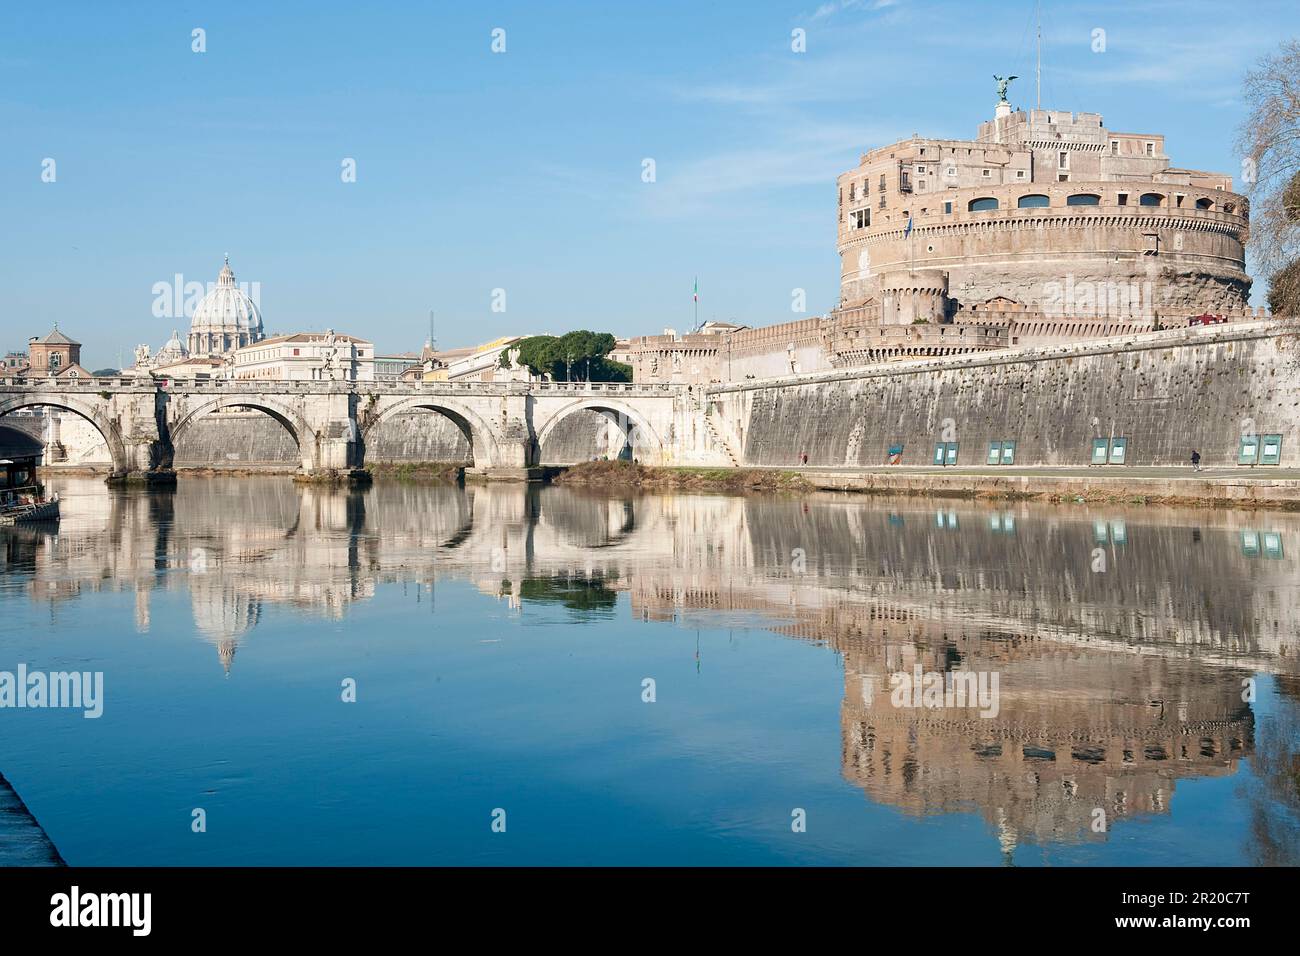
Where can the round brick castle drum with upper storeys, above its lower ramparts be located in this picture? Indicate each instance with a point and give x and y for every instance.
(1039, 207)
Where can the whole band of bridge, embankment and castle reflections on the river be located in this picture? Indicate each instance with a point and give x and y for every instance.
(1115, 685)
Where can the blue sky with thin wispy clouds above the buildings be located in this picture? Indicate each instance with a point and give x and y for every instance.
(523, 171)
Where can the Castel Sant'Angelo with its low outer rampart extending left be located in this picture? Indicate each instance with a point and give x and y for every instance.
(1047, 228)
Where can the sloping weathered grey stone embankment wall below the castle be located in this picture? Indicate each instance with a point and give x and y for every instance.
(1167, 393)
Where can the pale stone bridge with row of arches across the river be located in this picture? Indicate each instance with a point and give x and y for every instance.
(506, 425)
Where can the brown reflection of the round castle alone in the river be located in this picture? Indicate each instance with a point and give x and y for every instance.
(1076, 732)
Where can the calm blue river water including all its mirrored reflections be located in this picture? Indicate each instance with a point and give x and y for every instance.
(431, 674)
